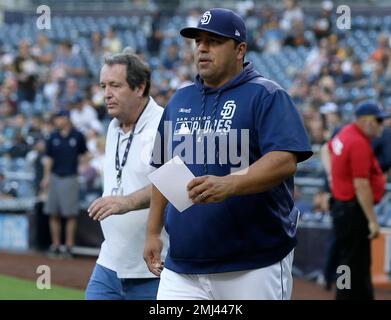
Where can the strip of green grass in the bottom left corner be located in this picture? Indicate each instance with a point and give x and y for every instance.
(19, 289)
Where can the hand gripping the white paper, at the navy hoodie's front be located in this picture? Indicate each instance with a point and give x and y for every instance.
(207, 189)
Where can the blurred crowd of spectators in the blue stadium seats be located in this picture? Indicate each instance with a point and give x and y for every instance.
(41, 76)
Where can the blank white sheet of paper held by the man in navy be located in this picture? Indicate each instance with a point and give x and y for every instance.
(172, 179)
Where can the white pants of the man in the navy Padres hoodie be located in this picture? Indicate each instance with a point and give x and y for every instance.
(269, 283)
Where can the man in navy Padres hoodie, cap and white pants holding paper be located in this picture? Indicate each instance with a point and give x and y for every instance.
(242, 137)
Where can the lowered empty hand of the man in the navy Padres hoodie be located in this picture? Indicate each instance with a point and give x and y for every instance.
(152, 254)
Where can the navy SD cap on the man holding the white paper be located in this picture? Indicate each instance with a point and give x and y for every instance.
(219, 21)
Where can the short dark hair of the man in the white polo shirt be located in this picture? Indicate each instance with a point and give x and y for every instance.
(137, 71)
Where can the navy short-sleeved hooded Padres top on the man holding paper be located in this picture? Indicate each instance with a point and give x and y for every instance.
(218, 131)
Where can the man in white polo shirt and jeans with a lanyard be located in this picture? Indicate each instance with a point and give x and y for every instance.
(120, 272)
